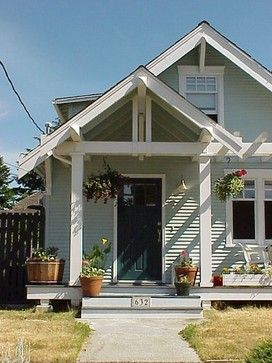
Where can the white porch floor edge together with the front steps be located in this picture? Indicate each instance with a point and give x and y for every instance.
(117, 300)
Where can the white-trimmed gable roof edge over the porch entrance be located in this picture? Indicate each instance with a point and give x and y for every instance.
(120, 90)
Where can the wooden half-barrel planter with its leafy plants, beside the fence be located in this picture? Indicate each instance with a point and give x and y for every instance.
(44, 267)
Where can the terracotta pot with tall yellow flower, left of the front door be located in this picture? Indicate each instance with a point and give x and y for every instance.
(93, 265)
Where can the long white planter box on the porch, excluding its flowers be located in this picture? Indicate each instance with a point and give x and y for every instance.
(246, 280)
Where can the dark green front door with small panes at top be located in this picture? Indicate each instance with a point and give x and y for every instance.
(139, 230)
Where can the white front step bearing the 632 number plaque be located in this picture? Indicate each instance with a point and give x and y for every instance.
(142, 306)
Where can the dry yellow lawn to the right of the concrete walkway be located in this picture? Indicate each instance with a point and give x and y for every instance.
(229, 334)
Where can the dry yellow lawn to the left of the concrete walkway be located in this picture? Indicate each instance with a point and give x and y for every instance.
(53, 337)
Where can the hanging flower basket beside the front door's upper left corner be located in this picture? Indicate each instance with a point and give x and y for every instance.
(106, 185)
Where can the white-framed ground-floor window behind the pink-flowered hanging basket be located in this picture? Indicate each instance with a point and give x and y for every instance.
(249, 216)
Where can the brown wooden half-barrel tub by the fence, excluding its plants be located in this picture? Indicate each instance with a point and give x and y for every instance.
(45, 272)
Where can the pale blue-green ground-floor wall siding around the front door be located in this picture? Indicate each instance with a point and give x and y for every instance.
(181, 210)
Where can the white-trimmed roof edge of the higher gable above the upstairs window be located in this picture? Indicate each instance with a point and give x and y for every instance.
(217, 41)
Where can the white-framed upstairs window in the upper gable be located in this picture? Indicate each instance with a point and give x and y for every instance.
(204, 90)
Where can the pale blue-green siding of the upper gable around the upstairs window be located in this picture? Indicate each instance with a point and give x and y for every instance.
(247, 104)
